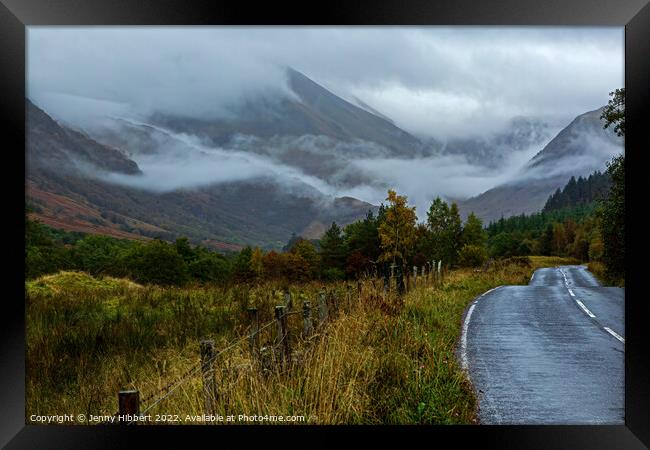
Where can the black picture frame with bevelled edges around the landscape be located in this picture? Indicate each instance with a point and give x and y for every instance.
(15, 15)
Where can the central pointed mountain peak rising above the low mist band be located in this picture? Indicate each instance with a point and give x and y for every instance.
(312, 130)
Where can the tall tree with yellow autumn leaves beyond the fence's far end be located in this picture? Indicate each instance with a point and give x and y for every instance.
(397, 230)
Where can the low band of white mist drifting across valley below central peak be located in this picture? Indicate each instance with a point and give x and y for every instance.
(355, 169)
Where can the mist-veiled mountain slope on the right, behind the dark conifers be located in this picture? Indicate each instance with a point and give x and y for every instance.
(579, 149)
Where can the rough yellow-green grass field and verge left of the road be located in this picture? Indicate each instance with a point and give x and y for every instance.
(376, 361)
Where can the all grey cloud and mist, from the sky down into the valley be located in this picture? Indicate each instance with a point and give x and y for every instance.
(442, 84)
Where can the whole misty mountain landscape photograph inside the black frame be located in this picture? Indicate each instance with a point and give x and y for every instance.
(325, 225)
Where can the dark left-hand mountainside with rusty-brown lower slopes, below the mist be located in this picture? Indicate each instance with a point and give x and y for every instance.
(66, 187)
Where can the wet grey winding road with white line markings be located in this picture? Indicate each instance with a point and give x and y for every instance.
(551, 352)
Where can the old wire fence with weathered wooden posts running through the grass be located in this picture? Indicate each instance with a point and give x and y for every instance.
(277, 355)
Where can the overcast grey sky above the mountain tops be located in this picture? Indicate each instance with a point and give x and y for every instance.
(432, 81)
